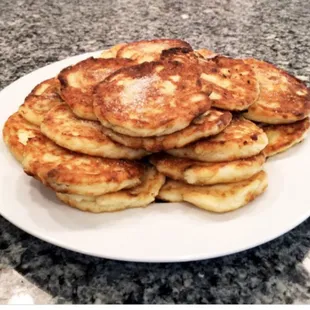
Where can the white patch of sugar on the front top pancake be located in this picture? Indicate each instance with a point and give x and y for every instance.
(134, 92)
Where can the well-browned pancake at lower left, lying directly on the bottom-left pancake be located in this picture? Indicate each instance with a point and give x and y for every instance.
(73, 173)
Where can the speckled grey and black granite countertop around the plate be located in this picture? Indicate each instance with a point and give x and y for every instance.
(35, 33)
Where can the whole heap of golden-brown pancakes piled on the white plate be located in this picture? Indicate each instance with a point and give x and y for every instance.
(156, 119)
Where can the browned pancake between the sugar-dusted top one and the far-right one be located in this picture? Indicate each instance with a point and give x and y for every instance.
(232, 81)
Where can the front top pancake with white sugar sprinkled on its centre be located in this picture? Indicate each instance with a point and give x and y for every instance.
(150, 99)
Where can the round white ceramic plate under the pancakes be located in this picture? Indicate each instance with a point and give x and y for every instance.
(165, 232)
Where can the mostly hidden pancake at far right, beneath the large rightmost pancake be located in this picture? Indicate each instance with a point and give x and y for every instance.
(283, 137)
